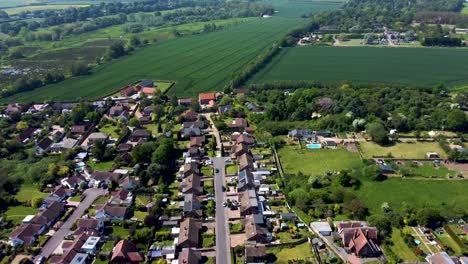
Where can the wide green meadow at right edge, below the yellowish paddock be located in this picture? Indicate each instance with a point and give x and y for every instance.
(440, 194)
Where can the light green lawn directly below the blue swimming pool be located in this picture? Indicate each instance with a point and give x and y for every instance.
(317, 161)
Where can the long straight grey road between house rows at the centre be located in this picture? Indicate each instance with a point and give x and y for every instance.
(223, 249)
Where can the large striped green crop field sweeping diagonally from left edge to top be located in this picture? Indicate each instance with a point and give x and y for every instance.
(196, 63)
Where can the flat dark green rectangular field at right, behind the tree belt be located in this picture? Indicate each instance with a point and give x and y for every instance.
(418, 66)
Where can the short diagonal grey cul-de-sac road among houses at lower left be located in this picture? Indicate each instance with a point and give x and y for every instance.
(56, 239)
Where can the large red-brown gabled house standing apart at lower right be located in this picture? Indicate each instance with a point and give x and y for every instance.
(361, 240)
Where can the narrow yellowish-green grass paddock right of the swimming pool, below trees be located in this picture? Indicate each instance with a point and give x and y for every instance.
(415, 150)
